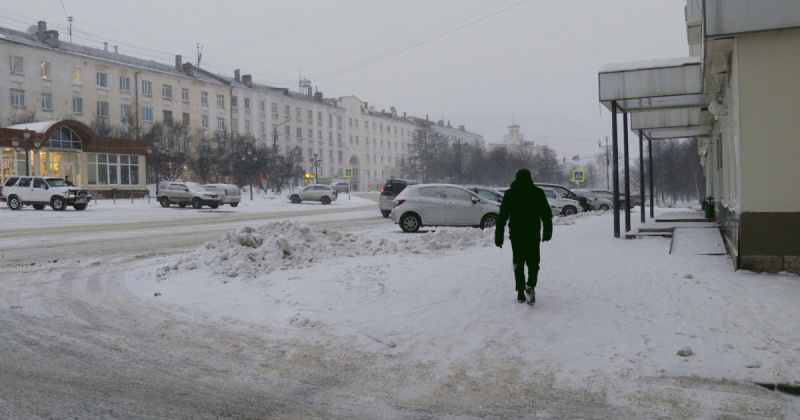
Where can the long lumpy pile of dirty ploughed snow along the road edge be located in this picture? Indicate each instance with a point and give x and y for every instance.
(249, 252)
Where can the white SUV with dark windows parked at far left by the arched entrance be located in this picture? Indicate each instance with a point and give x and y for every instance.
(40, 191)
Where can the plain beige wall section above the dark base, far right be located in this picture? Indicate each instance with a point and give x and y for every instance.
(769, 100)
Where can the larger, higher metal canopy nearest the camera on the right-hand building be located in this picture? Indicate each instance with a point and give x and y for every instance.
(654, 85)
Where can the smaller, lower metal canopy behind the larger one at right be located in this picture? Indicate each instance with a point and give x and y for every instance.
(672, 124)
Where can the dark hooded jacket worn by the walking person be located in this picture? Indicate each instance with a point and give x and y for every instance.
(526, 210)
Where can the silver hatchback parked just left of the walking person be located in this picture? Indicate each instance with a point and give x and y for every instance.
(442, 205)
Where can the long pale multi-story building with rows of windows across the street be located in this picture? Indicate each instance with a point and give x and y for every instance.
(105, 94)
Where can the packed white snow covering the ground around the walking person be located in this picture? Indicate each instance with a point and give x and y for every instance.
(620, 324)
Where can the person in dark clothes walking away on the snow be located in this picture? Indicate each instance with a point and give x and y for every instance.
(530, 220)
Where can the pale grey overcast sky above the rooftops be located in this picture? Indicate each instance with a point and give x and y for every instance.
(477, 63)
